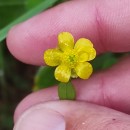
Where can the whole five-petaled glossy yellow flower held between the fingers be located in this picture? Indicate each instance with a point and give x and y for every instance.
(71, 60)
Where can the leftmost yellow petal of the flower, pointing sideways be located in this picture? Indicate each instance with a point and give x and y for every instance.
(52, 57)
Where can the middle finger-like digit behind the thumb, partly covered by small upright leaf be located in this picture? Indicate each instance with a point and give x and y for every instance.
(109, 88)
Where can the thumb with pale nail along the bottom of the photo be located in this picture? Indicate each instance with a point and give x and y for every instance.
(68, 115)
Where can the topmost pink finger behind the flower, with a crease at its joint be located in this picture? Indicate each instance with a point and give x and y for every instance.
(105, 23)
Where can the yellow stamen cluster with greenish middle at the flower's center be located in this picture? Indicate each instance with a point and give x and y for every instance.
(70, 58)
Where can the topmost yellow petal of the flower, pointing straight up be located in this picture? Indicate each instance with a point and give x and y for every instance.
(66, 41)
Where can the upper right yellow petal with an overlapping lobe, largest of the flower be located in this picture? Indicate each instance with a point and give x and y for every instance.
(85, 46)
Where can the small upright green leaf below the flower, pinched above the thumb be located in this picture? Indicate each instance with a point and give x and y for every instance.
(66, 91)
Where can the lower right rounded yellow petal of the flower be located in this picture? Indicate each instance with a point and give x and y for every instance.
(84, 70)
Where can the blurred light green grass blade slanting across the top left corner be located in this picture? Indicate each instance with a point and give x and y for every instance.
(42, 6)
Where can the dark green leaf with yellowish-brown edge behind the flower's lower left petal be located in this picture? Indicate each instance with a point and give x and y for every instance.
(45, 78)
